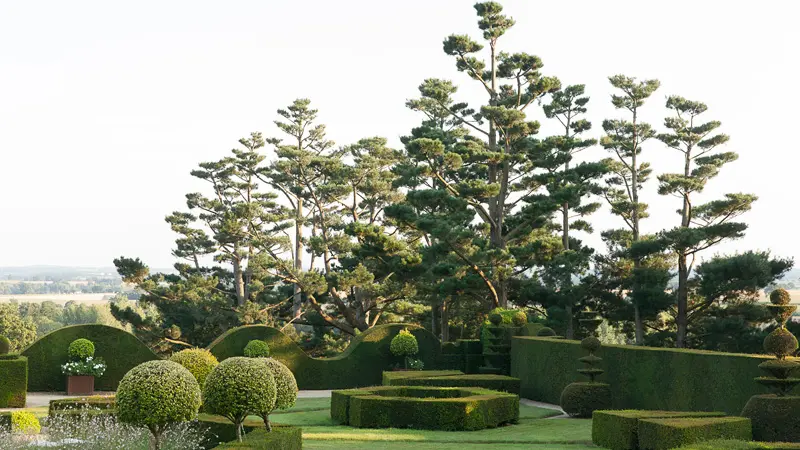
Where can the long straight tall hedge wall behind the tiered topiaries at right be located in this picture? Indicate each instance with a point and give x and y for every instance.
(640, 377)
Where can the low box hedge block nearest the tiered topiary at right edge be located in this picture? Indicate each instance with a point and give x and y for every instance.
(665, 434)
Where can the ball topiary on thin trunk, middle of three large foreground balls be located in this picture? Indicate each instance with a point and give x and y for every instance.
(237, 387)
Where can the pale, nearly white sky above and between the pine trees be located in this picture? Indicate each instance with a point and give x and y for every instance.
(105, 107)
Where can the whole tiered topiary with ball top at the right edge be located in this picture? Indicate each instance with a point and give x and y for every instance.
(776, 417)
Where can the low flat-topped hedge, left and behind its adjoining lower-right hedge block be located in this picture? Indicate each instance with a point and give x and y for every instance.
(618, 430)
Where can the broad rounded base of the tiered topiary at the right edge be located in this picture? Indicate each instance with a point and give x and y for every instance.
(775, 419)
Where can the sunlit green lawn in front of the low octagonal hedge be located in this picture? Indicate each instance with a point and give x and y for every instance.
(533, 432)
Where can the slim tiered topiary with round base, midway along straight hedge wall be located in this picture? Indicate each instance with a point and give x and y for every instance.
(580, 399)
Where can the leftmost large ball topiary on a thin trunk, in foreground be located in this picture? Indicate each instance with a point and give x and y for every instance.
(156, 394)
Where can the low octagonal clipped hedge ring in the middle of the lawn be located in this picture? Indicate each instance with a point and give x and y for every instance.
(424, 408)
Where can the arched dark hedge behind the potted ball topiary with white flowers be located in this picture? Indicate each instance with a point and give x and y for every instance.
(121, 350)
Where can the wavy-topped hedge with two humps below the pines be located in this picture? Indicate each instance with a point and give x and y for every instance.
(361, 364)
